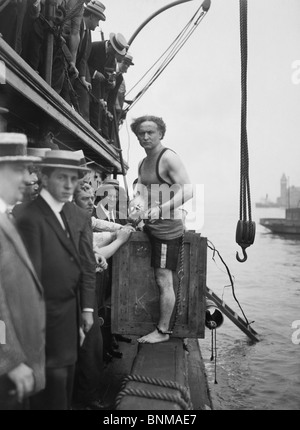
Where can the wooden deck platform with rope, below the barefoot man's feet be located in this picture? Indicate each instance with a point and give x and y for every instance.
(177, 361)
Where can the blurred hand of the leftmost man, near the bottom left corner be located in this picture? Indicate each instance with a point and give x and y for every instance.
(22, 377)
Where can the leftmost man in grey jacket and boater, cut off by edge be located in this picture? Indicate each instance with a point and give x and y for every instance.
(22, 307)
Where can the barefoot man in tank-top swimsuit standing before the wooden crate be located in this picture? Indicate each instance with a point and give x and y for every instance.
(164, 182)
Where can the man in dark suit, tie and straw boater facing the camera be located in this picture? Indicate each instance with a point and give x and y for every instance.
(58, 237)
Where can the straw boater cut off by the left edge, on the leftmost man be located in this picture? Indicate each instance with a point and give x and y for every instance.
(13, 149)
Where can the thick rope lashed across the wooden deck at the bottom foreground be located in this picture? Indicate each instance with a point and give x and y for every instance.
(184, 401)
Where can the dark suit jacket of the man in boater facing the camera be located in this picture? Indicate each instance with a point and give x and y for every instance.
(65, 266)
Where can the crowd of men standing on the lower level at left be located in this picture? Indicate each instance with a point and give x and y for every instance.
(50, 290)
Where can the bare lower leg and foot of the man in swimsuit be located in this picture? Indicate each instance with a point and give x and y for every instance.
(164, 280)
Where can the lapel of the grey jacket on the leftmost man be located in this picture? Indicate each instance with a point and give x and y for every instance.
(13, 236)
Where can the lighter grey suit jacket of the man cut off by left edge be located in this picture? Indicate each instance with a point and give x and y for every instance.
(22, 307)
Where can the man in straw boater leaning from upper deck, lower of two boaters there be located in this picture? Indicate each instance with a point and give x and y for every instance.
(102, 63)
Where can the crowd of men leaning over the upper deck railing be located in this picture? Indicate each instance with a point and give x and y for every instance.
(87, 74)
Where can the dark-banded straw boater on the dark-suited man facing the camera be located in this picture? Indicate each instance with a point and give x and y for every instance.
(64, 159)
